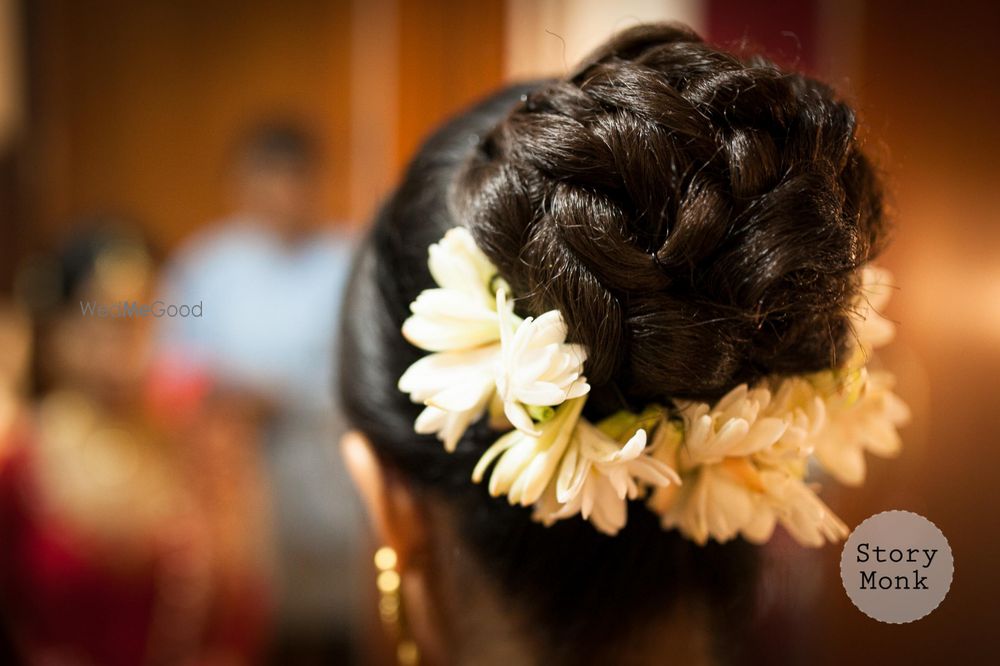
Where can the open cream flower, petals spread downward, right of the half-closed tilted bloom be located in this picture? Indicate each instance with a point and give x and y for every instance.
(598, 475)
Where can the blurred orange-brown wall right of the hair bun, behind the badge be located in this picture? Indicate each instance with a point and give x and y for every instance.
(927, 90)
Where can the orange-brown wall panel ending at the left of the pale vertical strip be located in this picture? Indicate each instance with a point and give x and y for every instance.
(136, 104)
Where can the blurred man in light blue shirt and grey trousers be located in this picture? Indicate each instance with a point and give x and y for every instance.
(269, 279)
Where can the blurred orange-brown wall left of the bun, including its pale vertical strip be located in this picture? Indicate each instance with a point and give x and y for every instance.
(135, 105)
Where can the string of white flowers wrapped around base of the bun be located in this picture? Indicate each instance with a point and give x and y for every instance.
(736, 467)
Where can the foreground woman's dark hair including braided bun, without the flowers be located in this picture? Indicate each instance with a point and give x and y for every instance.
(698, 219)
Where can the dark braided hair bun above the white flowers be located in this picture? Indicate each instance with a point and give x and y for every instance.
(697, 218)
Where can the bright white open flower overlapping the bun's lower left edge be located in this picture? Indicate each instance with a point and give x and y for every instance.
(537, 367)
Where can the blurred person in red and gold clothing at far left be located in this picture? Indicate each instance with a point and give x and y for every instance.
(115, 552)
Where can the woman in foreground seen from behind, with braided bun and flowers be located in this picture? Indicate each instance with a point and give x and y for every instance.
(589, 288)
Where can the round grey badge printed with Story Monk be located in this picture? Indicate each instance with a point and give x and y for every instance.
(896, 566)
